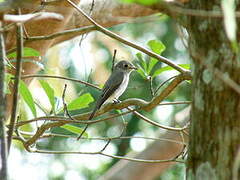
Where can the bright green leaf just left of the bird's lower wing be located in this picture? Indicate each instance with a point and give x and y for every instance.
(81, 102)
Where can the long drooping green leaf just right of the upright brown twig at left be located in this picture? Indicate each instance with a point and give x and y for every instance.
(27, 96)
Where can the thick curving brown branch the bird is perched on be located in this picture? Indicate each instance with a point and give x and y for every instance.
(59, 121)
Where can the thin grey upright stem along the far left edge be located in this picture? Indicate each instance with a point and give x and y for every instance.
(3, 143)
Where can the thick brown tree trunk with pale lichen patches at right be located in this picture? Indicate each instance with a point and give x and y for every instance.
(215, 117)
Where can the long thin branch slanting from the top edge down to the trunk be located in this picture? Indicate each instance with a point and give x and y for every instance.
(127, 42)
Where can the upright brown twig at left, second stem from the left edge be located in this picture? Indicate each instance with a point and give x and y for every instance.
(16, 83)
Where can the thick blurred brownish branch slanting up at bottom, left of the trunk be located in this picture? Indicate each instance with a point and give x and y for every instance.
(156, 150)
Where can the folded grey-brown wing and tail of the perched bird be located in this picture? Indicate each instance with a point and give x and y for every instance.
(111, 85)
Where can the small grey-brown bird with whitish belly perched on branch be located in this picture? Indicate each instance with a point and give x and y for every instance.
(115, 85)
